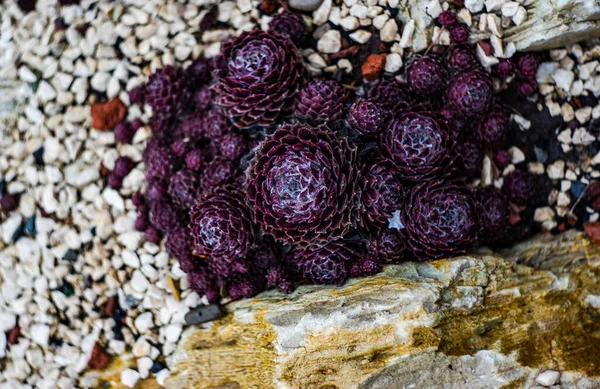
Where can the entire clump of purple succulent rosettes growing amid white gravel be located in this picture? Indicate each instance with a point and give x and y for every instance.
(259, 176)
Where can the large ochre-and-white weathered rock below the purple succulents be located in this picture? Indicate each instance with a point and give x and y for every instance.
(477, 321)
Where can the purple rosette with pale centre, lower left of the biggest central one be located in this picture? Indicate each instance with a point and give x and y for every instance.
(222, 226)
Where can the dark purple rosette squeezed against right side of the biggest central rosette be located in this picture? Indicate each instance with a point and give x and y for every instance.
(382, 192)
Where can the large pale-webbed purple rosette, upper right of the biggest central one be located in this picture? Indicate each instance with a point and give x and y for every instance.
(418, 143)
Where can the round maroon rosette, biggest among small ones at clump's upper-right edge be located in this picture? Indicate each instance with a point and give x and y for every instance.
(471, 93)
